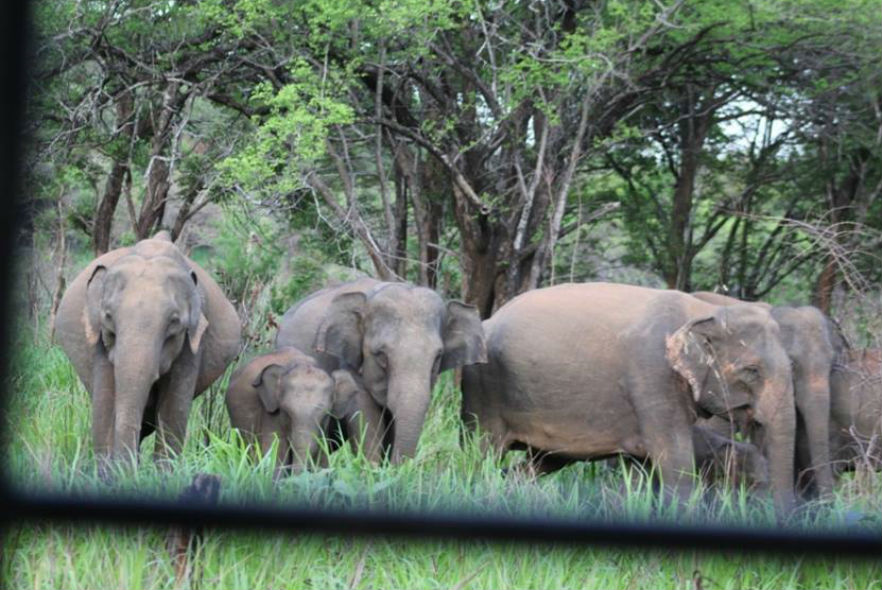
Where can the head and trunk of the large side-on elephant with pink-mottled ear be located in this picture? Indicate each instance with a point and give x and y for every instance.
(736, 368)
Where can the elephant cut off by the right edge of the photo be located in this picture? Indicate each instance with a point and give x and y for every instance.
(856, 411)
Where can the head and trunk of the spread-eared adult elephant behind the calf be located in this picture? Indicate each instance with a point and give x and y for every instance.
(401, 337)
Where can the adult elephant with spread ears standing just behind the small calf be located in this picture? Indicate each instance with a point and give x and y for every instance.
(397, 336)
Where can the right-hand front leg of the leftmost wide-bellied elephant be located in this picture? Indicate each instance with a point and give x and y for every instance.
(175, 396)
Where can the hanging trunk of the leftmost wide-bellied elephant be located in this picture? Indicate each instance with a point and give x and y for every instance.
(135, 371)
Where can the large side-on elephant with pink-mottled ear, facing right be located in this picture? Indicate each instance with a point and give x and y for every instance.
(585, 371)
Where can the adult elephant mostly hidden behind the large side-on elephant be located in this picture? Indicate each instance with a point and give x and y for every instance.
(812, 344)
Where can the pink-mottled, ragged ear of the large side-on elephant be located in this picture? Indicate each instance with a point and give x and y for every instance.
(690, 354)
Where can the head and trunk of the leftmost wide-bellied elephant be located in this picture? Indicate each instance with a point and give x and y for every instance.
(142, 314)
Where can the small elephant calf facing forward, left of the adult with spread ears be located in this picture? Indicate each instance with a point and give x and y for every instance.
(286, 395)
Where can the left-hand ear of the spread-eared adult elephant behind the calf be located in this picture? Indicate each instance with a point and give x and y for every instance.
(342, 330)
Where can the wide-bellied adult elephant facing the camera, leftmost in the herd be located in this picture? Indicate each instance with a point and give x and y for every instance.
(147, 330)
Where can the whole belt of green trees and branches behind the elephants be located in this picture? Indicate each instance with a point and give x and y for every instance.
(444, 139)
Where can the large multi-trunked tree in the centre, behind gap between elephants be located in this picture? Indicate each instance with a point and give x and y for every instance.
(486, 114)
